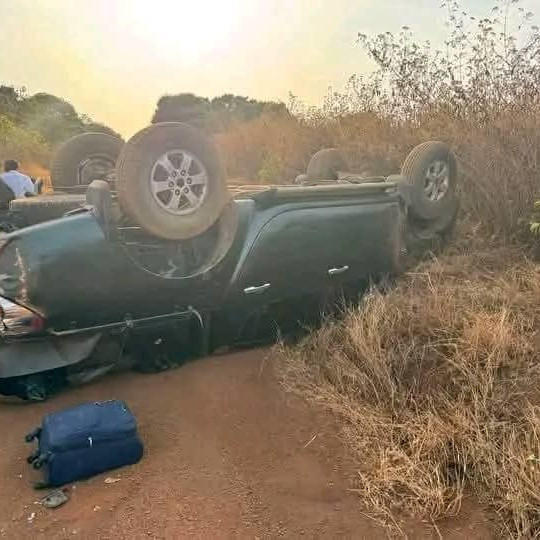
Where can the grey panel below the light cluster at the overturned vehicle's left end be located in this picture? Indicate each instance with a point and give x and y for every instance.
(19, 358)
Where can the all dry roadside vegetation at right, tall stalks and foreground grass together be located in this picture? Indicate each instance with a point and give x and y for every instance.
(434, 380)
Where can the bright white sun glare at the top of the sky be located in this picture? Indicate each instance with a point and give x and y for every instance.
(190, 28)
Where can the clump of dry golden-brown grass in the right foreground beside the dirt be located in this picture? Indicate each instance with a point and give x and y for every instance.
(436, 383)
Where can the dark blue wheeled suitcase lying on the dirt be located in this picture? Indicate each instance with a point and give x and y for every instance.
(85, 440)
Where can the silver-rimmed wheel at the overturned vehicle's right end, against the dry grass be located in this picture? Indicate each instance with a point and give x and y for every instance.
(431, 172)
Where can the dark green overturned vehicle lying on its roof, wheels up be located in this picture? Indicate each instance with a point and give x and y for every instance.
(164, 261)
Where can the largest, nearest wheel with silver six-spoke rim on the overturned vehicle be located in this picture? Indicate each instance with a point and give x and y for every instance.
(153, 195)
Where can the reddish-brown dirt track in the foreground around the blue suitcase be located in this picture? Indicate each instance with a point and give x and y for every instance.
(228, 454)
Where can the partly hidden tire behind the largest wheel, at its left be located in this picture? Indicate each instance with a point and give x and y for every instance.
(85, 157)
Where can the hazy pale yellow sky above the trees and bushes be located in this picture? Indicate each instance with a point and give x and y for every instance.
(113, 58)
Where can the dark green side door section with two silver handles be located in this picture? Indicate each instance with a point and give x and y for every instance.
(305, 249)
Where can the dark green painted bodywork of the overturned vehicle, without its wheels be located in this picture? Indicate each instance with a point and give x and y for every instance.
(289, 243)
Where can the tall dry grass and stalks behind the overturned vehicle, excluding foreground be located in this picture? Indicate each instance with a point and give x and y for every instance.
(481, 94)
